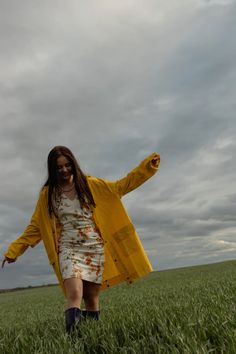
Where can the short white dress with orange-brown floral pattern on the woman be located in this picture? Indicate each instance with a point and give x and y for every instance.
(81, 248)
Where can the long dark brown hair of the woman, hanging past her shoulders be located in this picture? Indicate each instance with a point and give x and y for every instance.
(80, 180)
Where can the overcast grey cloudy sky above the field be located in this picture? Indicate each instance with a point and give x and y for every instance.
(115, 81)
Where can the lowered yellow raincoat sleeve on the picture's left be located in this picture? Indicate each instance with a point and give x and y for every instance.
(30, 237)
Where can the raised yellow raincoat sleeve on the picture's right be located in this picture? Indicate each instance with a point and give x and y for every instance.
(146, 169)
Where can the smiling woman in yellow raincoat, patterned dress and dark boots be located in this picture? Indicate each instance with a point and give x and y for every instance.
(88, 236)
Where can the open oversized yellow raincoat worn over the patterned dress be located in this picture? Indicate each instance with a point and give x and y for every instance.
(125, 258)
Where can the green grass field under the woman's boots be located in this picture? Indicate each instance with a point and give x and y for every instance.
(187, 310)
